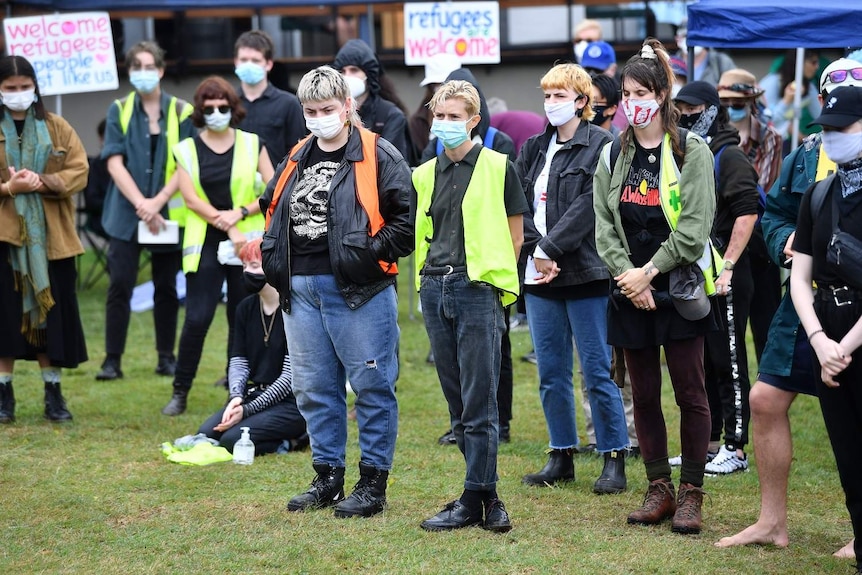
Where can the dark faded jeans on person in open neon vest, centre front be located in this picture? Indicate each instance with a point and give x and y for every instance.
(464, 321)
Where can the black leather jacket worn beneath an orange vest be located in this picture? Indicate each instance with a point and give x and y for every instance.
(353, 253)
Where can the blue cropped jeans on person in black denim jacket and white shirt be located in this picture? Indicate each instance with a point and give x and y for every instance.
(553, 322)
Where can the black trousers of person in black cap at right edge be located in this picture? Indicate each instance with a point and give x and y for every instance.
(842, 409)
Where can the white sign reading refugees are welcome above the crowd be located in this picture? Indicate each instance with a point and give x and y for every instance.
(470, 30)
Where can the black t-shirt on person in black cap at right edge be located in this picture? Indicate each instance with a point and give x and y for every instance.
(813, 234)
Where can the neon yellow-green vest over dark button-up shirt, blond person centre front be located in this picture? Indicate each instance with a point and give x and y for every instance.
(487, 238)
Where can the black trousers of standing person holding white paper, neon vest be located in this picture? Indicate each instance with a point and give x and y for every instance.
(123, 260)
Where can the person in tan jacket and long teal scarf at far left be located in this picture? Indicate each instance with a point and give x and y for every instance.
(42, 166)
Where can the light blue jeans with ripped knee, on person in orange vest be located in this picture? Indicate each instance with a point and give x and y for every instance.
(330, 342)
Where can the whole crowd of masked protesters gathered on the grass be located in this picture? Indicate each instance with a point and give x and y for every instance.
(649, 210)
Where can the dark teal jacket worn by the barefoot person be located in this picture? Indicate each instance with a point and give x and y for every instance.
(779, 221)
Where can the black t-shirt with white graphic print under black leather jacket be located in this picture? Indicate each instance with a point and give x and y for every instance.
(309, 206)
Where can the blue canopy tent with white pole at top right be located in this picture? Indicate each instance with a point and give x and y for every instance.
(776, 24)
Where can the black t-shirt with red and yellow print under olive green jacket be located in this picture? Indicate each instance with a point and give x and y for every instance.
(640, 209)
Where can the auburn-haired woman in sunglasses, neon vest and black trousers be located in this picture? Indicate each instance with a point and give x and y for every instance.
(221, 174)
